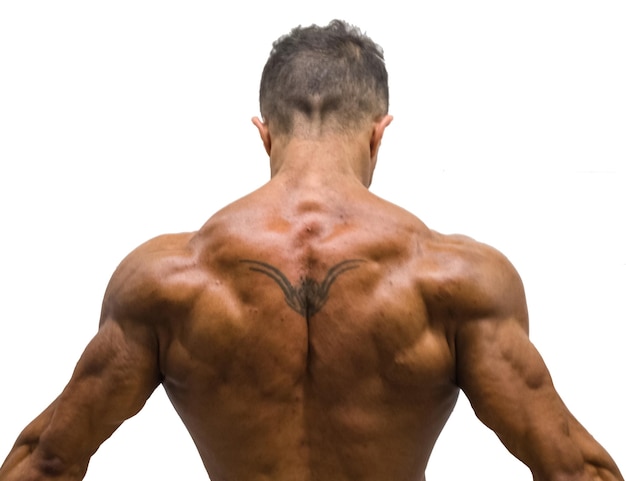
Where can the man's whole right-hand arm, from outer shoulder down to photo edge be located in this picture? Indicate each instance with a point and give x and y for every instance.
(509, 386)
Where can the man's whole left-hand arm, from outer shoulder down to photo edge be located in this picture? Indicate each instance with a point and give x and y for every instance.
(114, 377)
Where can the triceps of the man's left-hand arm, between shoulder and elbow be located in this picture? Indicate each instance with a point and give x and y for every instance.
(114, 377)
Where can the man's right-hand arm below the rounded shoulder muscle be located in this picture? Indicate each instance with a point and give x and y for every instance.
(511, 391)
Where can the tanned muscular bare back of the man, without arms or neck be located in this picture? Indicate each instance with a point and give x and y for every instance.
(299, 344)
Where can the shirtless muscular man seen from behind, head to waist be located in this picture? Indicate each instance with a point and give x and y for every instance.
(311, 330)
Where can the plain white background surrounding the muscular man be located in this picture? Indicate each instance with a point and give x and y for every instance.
(121, 120)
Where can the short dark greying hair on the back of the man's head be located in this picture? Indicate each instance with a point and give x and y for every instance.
(336, 72)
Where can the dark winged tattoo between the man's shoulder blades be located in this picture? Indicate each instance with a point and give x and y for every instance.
(309, 296)
